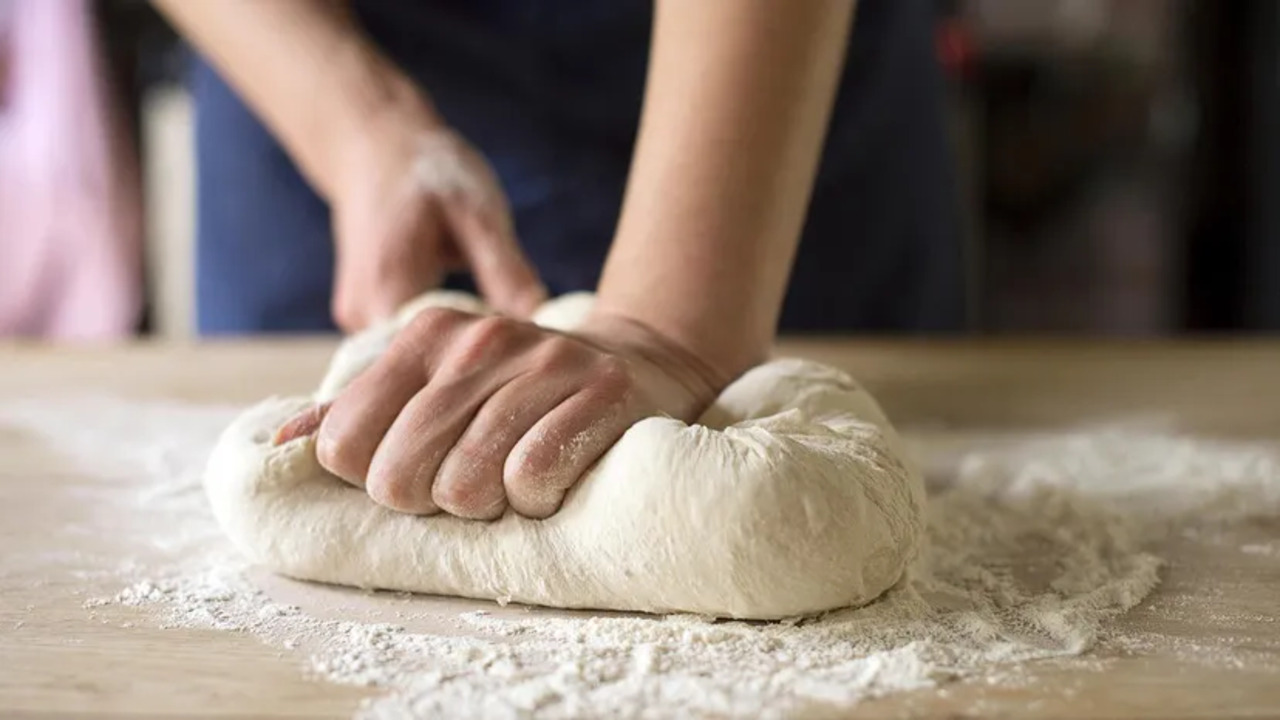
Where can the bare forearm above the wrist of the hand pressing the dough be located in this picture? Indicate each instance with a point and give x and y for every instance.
(737, 110)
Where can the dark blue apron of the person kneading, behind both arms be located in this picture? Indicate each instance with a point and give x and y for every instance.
(551, 93)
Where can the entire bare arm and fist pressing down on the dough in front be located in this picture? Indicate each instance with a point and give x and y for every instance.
(474, 416)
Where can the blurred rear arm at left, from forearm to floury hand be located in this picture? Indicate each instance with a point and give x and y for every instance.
(362, 133)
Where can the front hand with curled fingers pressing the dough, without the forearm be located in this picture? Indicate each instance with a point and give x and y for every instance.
(472, 414)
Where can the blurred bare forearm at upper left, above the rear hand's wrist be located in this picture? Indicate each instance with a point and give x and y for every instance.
(303, 66)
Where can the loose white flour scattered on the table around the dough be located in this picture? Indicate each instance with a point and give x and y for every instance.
(1035, 544)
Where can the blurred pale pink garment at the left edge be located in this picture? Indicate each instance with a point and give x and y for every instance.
(70, 200)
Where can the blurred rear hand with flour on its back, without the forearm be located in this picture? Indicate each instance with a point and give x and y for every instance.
(412, 202)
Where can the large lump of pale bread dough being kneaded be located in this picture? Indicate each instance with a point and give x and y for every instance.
(789, 498)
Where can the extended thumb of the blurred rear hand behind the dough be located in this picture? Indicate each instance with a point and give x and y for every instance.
(502, 271)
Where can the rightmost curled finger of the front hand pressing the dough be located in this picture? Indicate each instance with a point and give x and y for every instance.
(552, 457)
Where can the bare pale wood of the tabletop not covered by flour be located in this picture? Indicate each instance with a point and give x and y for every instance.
(57, 660)
